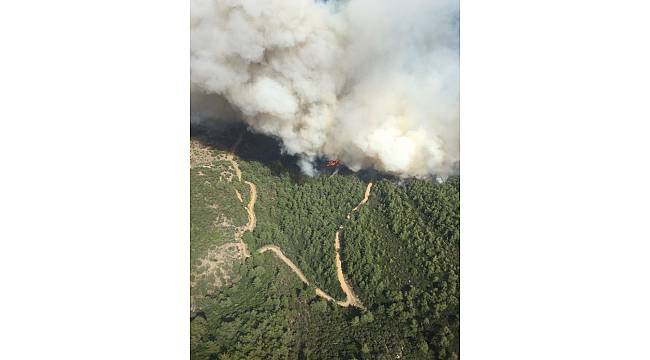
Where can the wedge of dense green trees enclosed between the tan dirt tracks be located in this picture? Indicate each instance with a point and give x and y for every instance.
(302, 218)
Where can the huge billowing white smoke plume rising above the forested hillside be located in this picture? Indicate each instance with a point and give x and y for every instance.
(374, 83)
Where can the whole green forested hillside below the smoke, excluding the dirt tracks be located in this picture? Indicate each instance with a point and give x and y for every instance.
(400, 253)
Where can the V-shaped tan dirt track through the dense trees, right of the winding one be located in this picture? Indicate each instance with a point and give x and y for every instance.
(350, 297)
